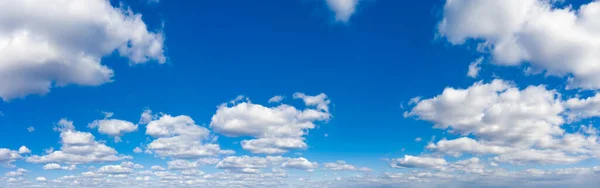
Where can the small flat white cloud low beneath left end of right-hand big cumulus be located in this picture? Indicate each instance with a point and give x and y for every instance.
(418, 162)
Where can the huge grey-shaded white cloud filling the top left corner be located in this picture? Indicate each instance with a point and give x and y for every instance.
(58, 42)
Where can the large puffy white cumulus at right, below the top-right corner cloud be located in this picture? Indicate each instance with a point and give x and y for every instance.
(497, 112)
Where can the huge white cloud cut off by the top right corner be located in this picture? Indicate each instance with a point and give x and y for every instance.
(556, 40)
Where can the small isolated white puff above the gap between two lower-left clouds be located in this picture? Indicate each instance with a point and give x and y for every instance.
(113, 127)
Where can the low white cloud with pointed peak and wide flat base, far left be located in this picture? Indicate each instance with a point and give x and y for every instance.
(77, 148)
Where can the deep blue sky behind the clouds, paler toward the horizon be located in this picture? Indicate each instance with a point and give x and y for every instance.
(369, 66)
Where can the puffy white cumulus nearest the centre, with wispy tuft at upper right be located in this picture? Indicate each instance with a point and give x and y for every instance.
(276, 129)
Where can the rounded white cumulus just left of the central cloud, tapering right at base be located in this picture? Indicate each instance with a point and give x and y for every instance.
(179, 137)
